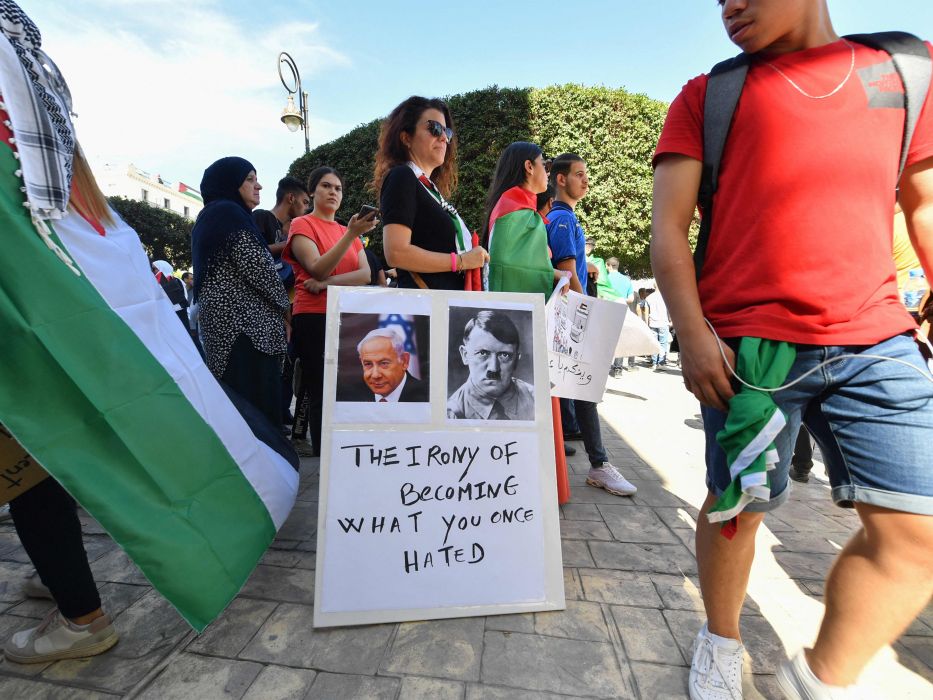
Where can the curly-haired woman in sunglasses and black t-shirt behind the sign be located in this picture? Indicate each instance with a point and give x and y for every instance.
(416, 169)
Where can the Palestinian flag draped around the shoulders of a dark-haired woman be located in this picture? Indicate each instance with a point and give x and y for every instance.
(519, 258)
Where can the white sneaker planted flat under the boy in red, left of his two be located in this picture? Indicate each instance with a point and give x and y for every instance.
(716, 671)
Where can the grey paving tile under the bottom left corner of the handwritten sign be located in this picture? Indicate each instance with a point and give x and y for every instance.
(289, 638)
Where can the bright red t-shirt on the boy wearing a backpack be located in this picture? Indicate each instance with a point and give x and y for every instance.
(802, 222)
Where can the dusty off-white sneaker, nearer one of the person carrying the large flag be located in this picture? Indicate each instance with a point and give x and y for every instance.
(58, 638)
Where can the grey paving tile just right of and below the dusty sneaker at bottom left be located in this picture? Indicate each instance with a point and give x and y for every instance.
(149, 630)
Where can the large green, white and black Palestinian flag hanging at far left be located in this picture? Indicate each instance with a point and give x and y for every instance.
(103, 386)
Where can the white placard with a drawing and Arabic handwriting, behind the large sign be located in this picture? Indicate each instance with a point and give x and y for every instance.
(582, 334)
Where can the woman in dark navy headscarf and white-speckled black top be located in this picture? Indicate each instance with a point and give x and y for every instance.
(243, 304)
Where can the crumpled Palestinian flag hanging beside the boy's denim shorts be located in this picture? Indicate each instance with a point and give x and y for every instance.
(753, 423)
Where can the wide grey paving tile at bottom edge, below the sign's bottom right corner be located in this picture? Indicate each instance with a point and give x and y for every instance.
(550, 664)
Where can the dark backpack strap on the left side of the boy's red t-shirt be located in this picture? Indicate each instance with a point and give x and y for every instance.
(723, 88)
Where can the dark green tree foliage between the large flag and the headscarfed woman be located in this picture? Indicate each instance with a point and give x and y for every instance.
(165, 234)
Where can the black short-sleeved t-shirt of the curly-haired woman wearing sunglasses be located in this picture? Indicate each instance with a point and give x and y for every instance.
(405, 201)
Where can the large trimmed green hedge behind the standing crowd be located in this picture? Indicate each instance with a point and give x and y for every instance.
(613, 130)
